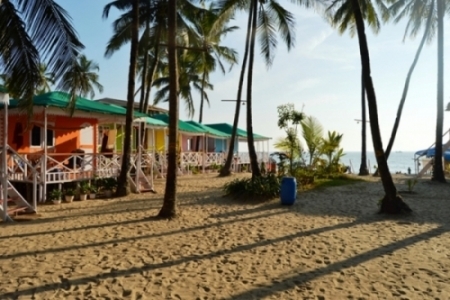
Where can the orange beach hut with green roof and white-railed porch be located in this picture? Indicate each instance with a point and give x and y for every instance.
(55, 147)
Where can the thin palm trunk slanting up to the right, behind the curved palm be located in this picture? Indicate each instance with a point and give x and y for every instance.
(408, 79)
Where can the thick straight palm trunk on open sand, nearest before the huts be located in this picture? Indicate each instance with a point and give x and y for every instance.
(169, 208)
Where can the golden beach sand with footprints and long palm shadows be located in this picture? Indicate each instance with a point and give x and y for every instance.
(330, 245)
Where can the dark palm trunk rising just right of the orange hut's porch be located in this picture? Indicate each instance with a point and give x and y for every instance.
(122, 184)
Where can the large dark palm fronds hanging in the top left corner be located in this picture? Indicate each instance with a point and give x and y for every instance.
(29, 32)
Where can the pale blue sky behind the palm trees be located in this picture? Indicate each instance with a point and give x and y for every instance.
(321, 75)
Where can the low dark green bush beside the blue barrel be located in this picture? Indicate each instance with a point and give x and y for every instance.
(261, 188)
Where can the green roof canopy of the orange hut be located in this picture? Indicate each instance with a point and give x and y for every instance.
(61, 100)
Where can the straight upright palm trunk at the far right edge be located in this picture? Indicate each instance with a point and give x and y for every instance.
(438, 170)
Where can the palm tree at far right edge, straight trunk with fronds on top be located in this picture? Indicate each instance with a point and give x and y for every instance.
(417, 10)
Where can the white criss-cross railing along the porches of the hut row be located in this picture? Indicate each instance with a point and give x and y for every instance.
(66, 167)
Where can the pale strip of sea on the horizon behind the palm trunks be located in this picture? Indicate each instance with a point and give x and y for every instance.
(398, 161)
